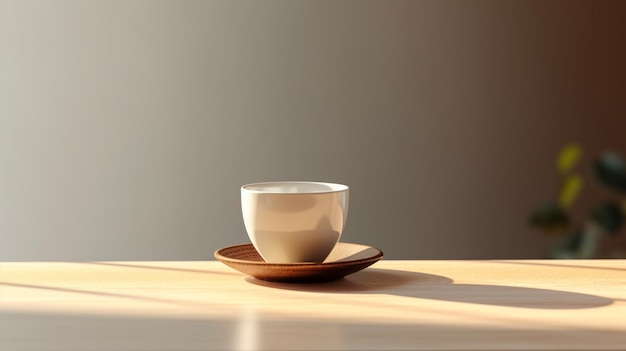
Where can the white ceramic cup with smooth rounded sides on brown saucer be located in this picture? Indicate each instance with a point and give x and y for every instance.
(290, 222)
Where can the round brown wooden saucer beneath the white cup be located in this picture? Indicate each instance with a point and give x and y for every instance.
(346, 258)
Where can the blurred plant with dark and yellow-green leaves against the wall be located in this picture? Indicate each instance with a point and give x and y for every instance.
(606, 219)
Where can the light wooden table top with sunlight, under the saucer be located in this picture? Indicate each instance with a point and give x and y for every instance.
(449, 305)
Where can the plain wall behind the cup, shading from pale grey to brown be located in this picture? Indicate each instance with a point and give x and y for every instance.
(127, 127)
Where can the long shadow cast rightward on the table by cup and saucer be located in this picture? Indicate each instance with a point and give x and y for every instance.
(436, 287)
